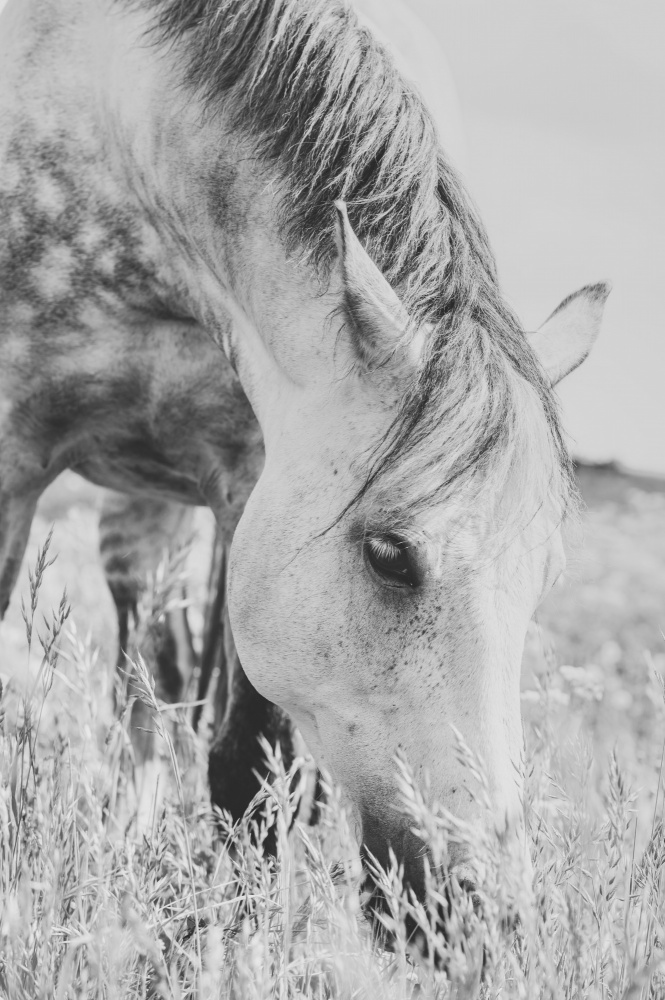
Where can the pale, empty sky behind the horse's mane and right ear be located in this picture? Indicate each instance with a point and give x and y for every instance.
(563, 109)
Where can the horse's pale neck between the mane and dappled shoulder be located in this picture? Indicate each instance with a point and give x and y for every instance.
(205, 210)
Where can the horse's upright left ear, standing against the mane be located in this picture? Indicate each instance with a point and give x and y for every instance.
(378, 320)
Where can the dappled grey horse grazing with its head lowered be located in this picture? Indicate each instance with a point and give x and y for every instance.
(227, 222)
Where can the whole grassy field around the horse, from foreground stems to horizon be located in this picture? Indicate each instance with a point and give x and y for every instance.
(92, 907)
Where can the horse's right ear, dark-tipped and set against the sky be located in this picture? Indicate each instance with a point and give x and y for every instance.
(565, 339)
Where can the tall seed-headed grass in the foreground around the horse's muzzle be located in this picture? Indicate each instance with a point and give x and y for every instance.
(90, 907)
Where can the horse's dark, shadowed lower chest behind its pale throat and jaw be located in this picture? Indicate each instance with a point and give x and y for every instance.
(152, 408)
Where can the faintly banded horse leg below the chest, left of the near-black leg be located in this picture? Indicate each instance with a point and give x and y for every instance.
(136, 535)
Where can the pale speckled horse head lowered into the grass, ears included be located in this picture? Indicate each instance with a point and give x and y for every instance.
(382, 597)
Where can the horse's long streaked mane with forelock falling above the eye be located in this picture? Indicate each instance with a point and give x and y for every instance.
(323, 103)
